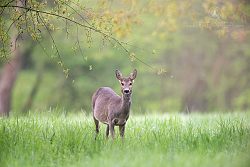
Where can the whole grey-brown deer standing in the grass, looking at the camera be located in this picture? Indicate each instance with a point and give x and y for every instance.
(111, 109)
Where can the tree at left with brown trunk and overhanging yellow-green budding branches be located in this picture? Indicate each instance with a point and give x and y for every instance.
(35, 18)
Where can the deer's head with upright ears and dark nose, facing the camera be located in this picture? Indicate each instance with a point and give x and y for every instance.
(126, 82)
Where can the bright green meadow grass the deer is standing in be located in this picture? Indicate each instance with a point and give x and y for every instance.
(47, 139)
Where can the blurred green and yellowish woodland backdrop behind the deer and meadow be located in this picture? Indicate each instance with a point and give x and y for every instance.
(191, 56)
